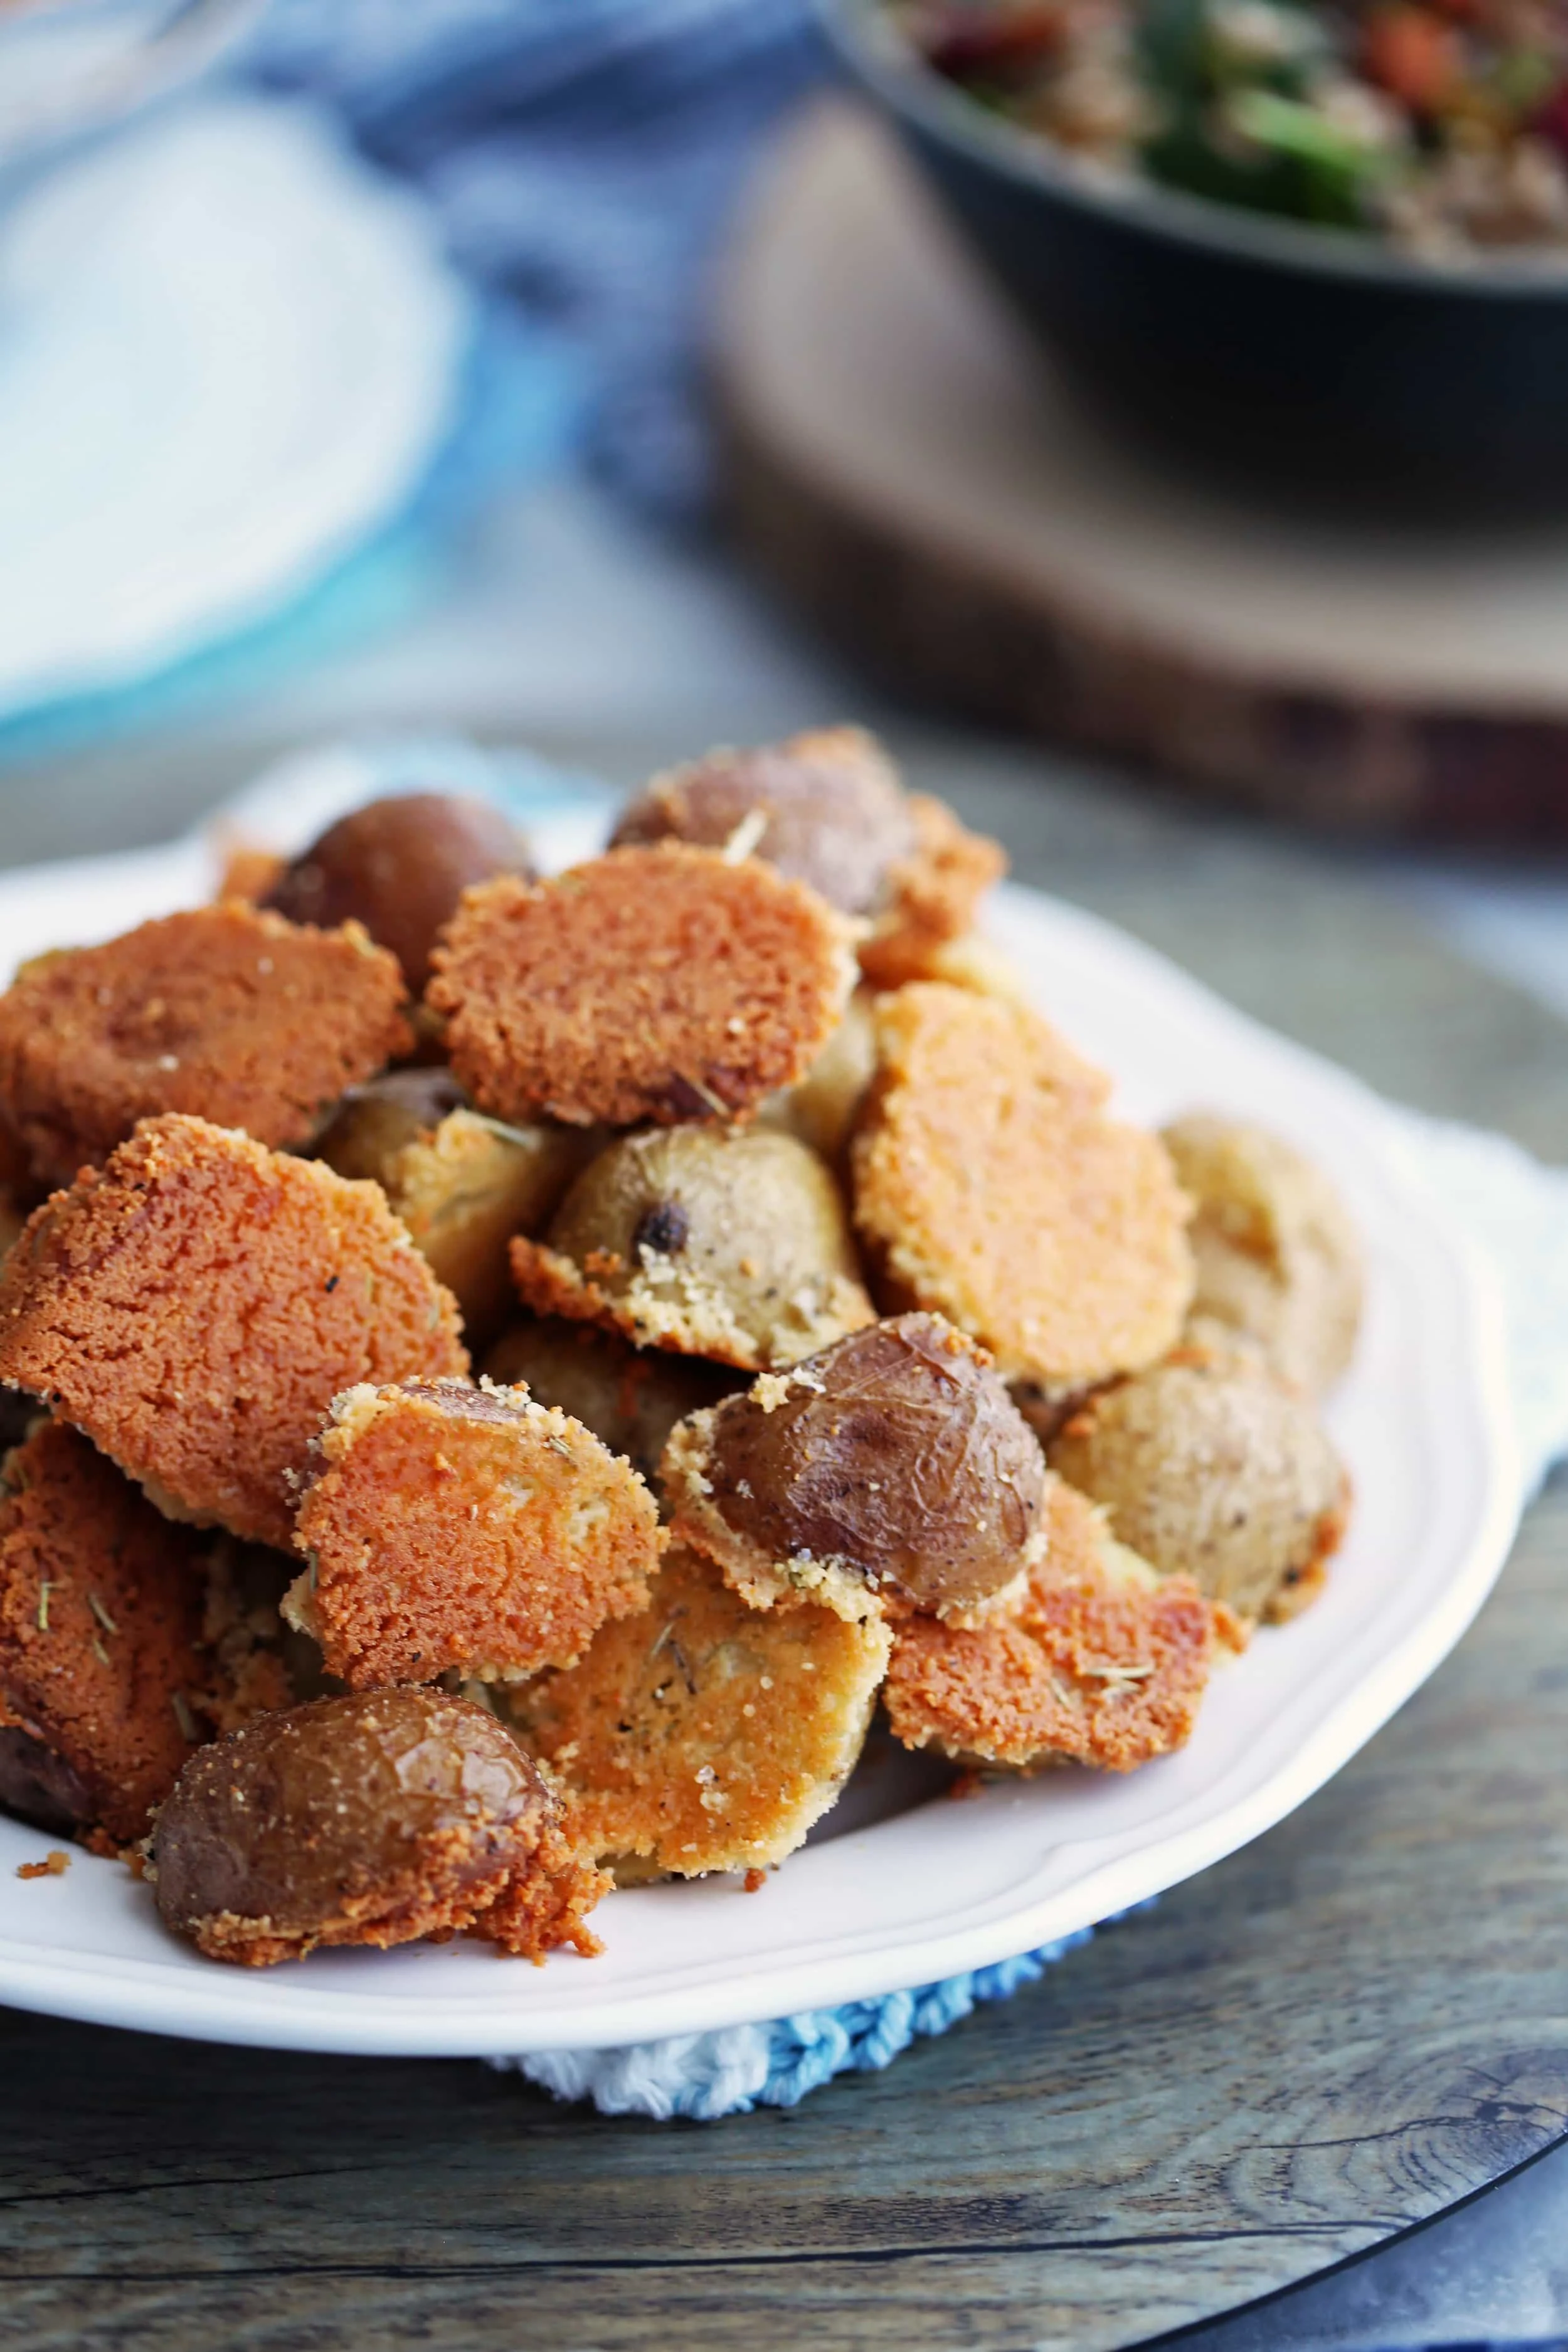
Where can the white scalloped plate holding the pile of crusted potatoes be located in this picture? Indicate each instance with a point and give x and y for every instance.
(1423, 1422)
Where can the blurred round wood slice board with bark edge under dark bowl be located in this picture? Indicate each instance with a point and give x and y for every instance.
(911, 469)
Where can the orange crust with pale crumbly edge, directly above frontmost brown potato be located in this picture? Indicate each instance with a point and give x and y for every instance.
(464, 1528)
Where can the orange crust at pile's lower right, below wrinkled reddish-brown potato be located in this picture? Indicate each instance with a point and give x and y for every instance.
(1101, 1664)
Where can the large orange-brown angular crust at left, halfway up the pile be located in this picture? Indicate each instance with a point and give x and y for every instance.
(201, 1302)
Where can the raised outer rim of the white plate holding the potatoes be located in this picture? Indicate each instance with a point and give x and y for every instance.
(307, 2012)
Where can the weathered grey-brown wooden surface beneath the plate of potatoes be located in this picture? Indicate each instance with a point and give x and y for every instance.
(1329, 2038)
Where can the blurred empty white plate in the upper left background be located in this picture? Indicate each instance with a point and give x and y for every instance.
(229, 359)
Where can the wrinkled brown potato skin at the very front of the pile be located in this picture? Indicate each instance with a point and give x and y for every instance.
(368, 1819)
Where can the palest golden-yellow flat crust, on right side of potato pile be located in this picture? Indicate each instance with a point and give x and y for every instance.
(993, 1189)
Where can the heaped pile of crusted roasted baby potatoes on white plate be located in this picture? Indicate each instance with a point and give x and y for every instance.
(840, 1351)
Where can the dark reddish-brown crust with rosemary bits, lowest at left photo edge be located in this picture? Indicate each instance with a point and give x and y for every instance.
(100, 1626)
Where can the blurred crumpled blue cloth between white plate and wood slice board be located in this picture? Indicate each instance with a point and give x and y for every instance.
(584, 159)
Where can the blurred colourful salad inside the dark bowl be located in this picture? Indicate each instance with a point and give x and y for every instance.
(1440, 126)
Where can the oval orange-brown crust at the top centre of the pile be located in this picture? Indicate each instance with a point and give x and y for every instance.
(652, 984)
